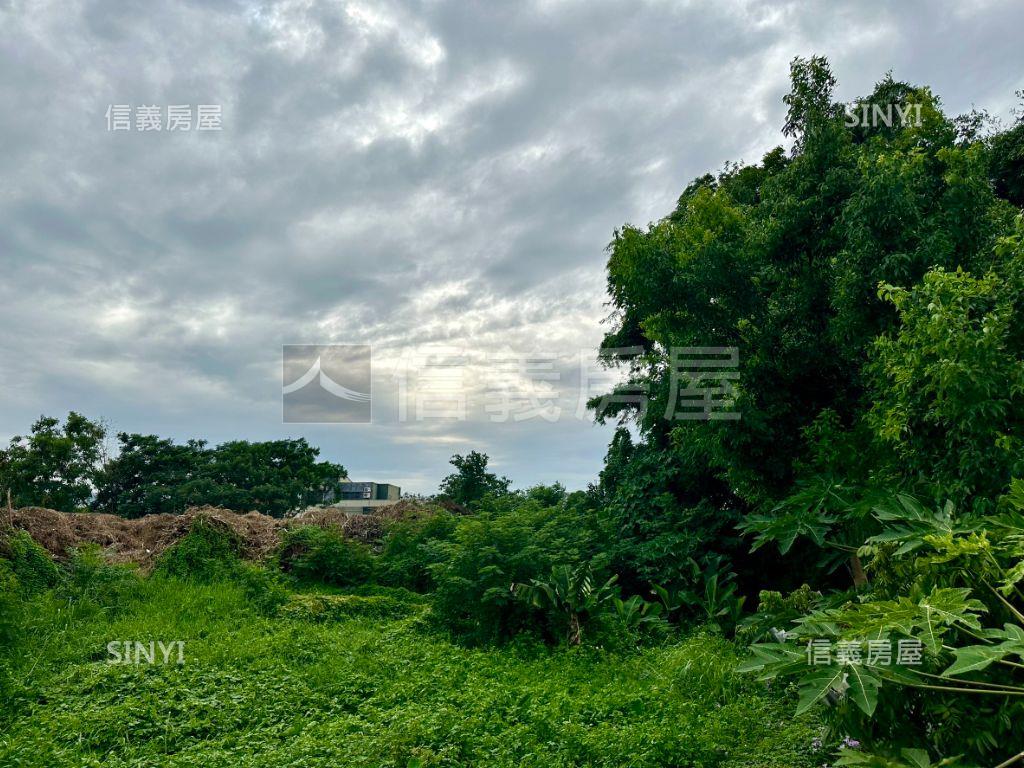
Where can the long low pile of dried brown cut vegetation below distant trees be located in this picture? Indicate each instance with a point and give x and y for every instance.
(143, 540)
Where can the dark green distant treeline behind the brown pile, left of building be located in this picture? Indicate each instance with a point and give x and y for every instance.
(64, 467)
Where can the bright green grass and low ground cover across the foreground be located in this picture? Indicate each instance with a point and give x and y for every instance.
(364, 682)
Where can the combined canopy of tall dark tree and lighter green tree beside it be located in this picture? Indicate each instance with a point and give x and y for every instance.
(821, 266)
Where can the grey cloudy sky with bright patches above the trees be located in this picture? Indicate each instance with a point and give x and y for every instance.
(437, 180)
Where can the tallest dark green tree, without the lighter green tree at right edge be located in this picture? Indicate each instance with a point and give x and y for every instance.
(783, 261)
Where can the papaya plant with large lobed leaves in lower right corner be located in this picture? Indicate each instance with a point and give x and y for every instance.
(952, 594)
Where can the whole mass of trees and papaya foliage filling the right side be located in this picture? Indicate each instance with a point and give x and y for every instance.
(871, 282)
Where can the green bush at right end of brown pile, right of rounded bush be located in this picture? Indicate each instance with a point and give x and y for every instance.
(411, 547)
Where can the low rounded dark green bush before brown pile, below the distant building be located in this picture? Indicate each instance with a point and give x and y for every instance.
(315, 554)
